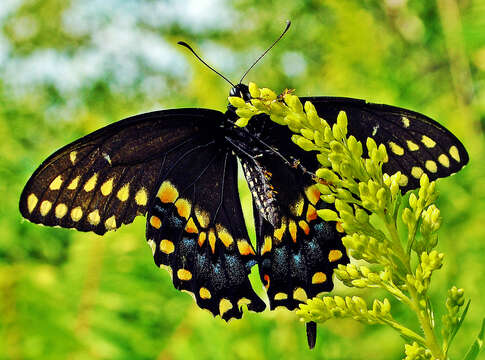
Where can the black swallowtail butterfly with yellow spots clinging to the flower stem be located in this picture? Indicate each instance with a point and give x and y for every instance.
(179, 168)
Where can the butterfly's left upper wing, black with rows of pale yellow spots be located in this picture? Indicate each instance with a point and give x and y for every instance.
(107, 178)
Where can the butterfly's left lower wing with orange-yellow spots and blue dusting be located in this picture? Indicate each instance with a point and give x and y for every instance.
(196, 229)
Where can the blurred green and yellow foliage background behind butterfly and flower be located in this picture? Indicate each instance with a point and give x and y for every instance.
(68, 67)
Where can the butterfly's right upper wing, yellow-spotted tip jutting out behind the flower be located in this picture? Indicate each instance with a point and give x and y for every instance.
(416, 144)
